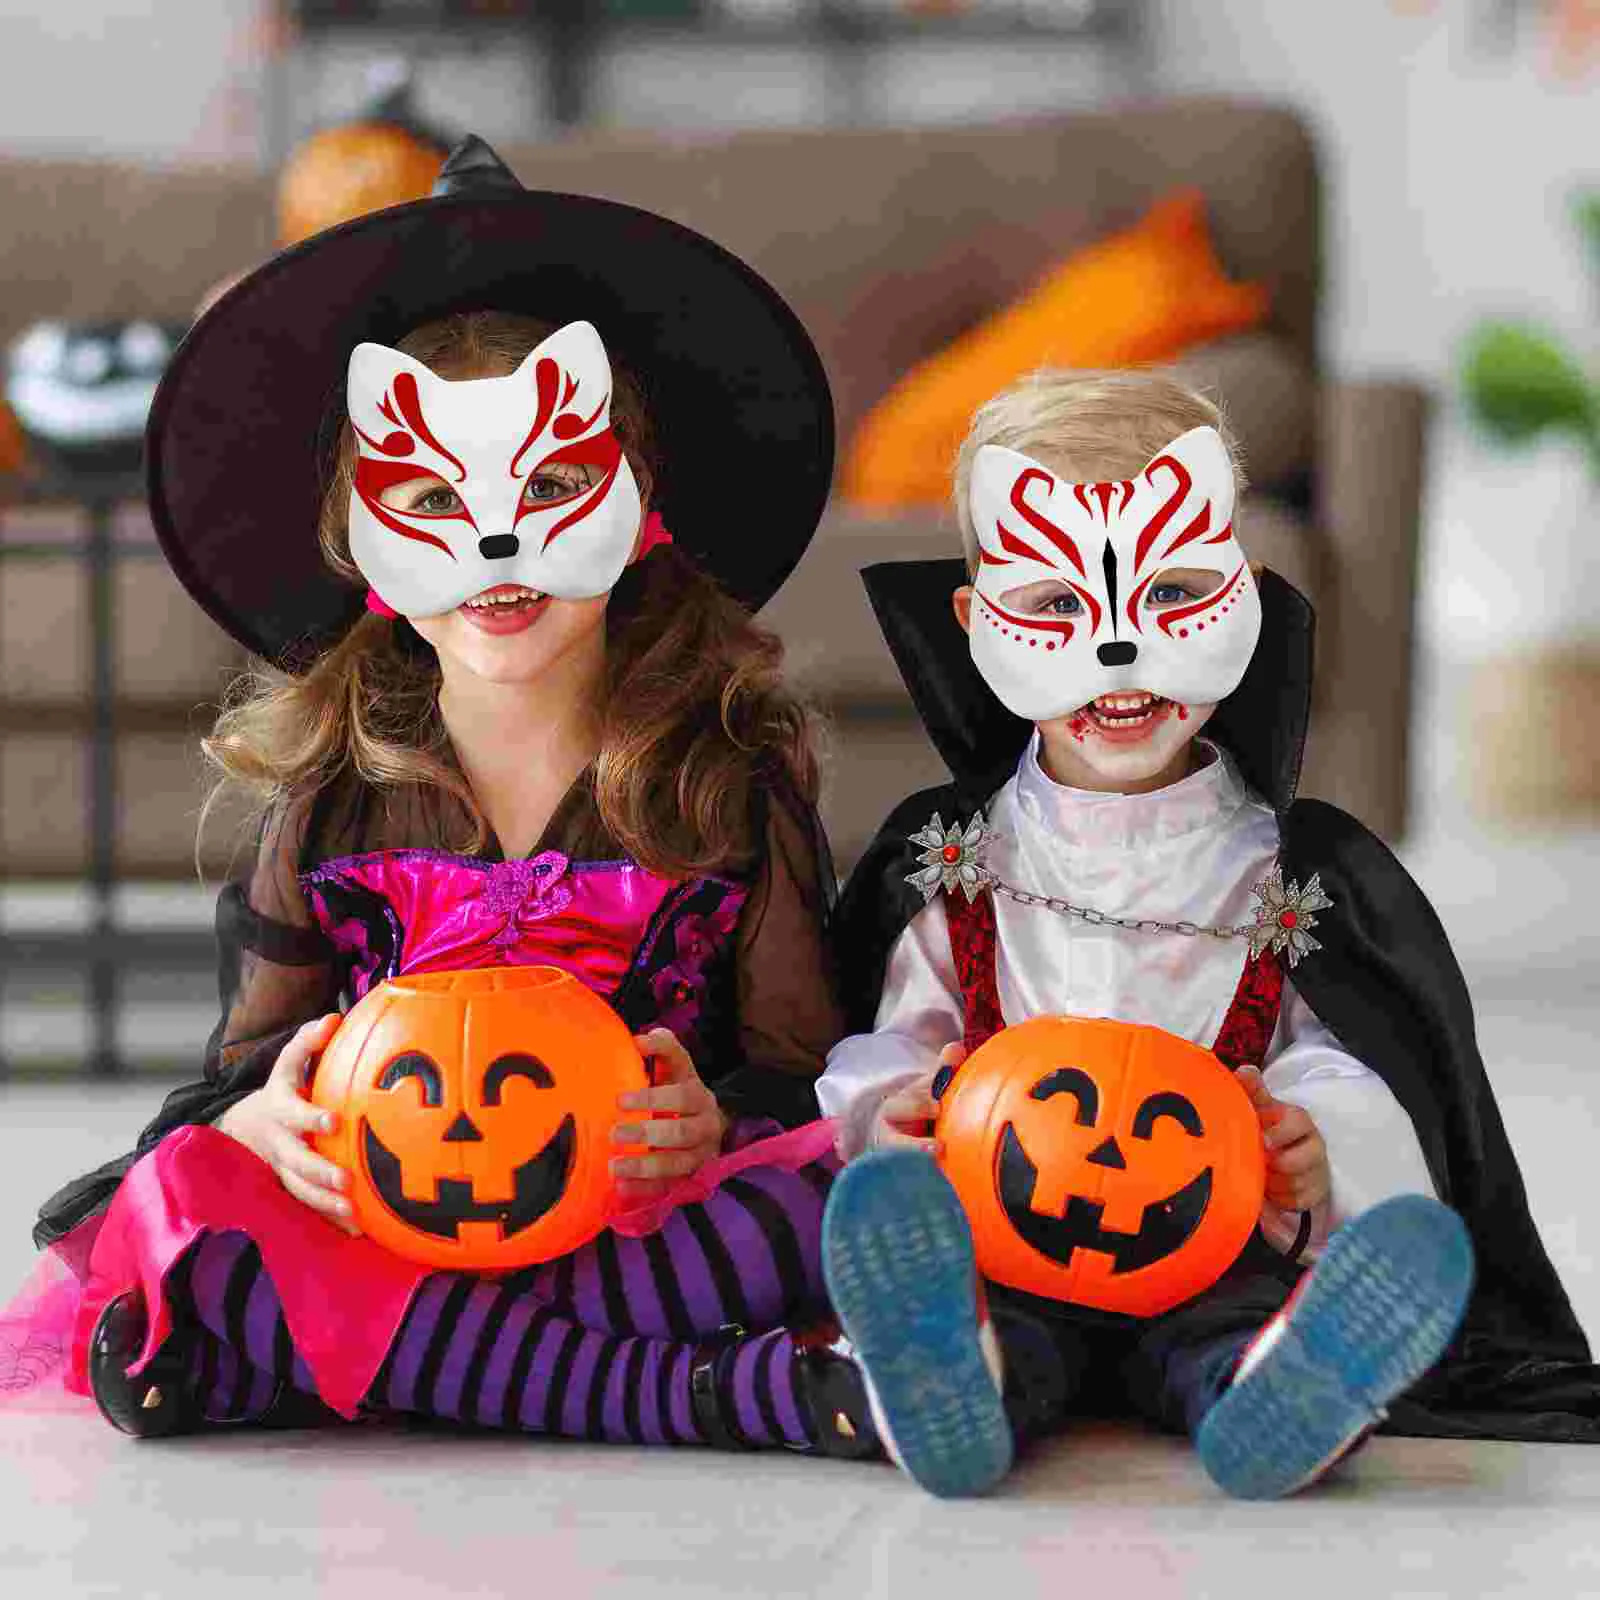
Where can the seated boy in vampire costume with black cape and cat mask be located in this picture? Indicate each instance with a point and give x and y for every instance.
(1124, 706)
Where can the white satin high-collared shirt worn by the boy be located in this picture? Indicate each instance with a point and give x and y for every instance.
(1185, 854)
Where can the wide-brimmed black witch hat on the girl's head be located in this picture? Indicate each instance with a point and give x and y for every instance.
(239, 441)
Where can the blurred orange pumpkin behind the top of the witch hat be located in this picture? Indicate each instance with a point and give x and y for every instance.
(346, 172)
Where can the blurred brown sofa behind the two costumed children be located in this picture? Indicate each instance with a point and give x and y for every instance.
(889, 244)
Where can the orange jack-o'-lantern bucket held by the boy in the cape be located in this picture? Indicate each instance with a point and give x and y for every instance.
(1103, 1164)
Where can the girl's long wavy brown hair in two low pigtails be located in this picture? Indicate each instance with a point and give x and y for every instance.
(695, 716)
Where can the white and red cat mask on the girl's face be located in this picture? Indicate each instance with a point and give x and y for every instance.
(487, 439)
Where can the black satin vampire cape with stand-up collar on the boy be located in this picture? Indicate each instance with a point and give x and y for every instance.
(1385, 983)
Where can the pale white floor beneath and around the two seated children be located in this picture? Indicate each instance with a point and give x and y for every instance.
(87, 1513)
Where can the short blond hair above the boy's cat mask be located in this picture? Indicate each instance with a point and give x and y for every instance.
(1087, 428)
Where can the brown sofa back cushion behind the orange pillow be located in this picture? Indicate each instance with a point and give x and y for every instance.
(890, 242)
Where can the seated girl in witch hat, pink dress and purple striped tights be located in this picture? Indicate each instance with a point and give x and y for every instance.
(551, 737)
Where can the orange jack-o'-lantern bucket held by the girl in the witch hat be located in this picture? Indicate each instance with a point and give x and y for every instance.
(478, 1113)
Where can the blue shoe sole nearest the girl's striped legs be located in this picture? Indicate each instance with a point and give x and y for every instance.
(898, 1260)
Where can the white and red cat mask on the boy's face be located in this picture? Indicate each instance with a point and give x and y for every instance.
(1108, 543)
